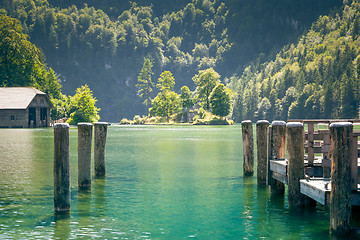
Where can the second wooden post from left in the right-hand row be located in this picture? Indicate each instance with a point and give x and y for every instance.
(261, 146)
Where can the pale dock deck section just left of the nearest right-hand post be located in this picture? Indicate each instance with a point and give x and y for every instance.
(315, 189)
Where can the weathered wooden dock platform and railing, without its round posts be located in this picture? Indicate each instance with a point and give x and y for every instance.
(317, 186)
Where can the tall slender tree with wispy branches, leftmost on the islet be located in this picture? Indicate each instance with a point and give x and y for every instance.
(145, 83)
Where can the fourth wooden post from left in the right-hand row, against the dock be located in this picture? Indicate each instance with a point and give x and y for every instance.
(295, 156)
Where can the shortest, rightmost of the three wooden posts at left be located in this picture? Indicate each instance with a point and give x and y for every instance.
(99, 148)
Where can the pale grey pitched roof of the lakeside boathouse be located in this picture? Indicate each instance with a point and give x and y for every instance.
(17, 97)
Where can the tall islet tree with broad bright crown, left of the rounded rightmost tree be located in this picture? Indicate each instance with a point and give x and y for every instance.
(205, 81)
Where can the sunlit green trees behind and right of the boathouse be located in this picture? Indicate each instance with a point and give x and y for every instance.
(23, 64)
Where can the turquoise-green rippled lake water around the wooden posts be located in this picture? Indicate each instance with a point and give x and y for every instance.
(162, 182)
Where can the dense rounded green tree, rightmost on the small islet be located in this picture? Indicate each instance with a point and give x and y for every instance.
(220, 100)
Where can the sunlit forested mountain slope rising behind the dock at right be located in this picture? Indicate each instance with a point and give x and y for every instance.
(318, 77)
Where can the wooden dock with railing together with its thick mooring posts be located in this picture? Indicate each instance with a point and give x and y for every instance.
(328, 154)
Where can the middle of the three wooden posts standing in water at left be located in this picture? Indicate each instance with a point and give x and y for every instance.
(84, 155)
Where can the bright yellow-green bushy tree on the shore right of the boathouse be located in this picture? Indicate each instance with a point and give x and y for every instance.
(82, 107)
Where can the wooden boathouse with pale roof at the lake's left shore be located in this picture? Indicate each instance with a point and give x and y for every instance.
(24, 107)
